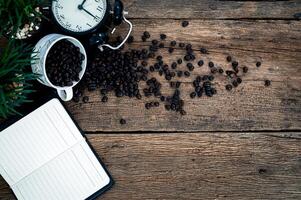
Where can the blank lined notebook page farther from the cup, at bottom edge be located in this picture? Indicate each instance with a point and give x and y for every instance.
(73, 176)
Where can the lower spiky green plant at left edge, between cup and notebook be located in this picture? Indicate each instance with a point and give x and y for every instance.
(15, 77)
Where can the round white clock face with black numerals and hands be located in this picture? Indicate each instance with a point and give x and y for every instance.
(79, 16)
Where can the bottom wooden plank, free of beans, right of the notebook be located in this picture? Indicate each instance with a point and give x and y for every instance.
(200, 166)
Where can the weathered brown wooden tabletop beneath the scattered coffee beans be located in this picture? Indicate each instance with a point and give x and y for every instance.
(243, 144)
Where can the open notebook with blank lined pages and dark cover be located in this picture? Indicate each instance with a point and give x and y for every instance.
(45, 156)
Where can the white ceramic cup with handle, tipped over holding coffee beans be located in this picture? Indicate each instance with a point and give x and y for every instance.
(38, 63)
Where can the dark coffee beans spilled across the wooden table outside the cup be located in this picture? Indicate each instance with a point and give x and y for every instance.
(121, 71)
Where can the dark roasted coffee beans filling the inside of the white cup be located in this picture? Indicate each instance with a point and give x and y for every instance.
(64, 63)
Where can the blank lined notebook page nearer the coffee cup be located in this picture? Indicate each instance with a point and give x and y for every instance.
(34, 140)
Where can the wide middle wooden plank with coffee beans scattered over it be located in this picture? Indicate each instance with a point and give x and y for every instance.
(250, 107)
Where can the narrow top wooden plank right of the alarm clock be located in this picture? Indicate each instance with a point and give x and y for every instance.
(213, 9)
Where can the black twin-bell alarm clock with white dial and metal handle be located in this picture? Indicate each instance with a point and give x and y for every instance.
(87, 17)
